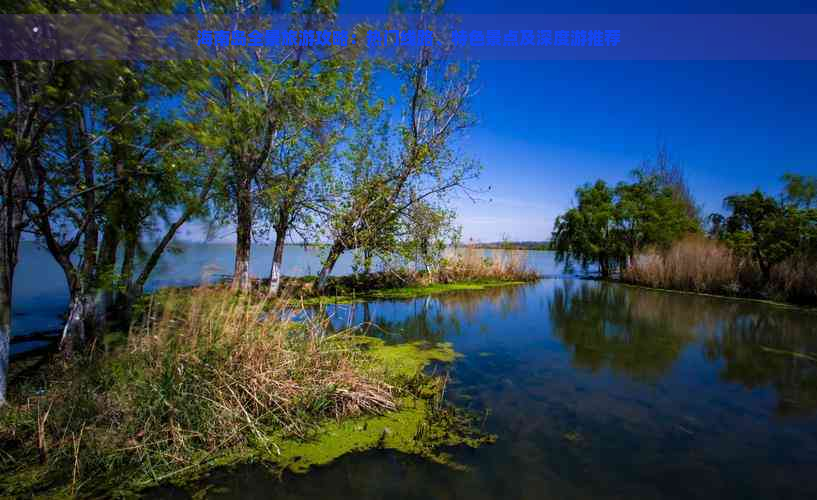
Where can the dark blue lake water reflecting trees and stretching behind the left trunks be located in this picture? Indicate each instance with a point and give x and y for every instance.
(594, 390)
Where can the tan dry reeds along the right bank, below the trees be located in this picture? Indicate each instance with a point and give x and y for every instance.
(700, 264)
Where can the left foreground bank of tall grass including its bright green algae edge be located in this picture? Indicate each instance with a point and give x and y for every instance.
(208, 379)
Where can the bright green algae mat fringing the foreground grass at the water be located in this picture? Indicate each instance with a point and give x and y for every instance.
(421, 425)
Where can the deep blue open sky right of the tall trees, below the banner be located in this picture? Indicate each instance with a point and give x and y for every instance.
(545, 127)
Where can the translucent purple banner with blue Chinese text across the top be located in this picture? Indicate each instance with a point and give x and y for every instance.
(478, 37)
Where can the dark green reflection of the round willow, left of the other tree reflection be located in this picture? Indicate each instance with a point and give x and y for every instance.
(635, 334)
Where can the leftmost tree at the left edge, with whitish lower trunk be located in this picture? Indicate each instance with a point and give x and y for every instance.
(34, 100)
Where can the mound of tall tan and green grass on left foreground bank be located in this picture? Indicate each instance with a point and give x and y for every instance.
(205, 373)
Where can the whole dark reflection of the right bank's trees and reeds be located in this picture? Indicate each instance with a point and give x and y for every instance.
(641, 332)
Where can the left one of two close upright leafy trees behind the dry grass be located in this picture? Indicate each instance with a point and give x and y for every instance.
(246, 99)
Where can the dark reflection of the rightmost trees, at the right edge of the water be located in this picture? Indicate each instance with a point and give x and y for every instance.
(761, 349)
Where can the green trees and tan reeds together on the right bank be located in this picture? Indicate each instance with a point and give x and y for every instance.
(650, 232)
